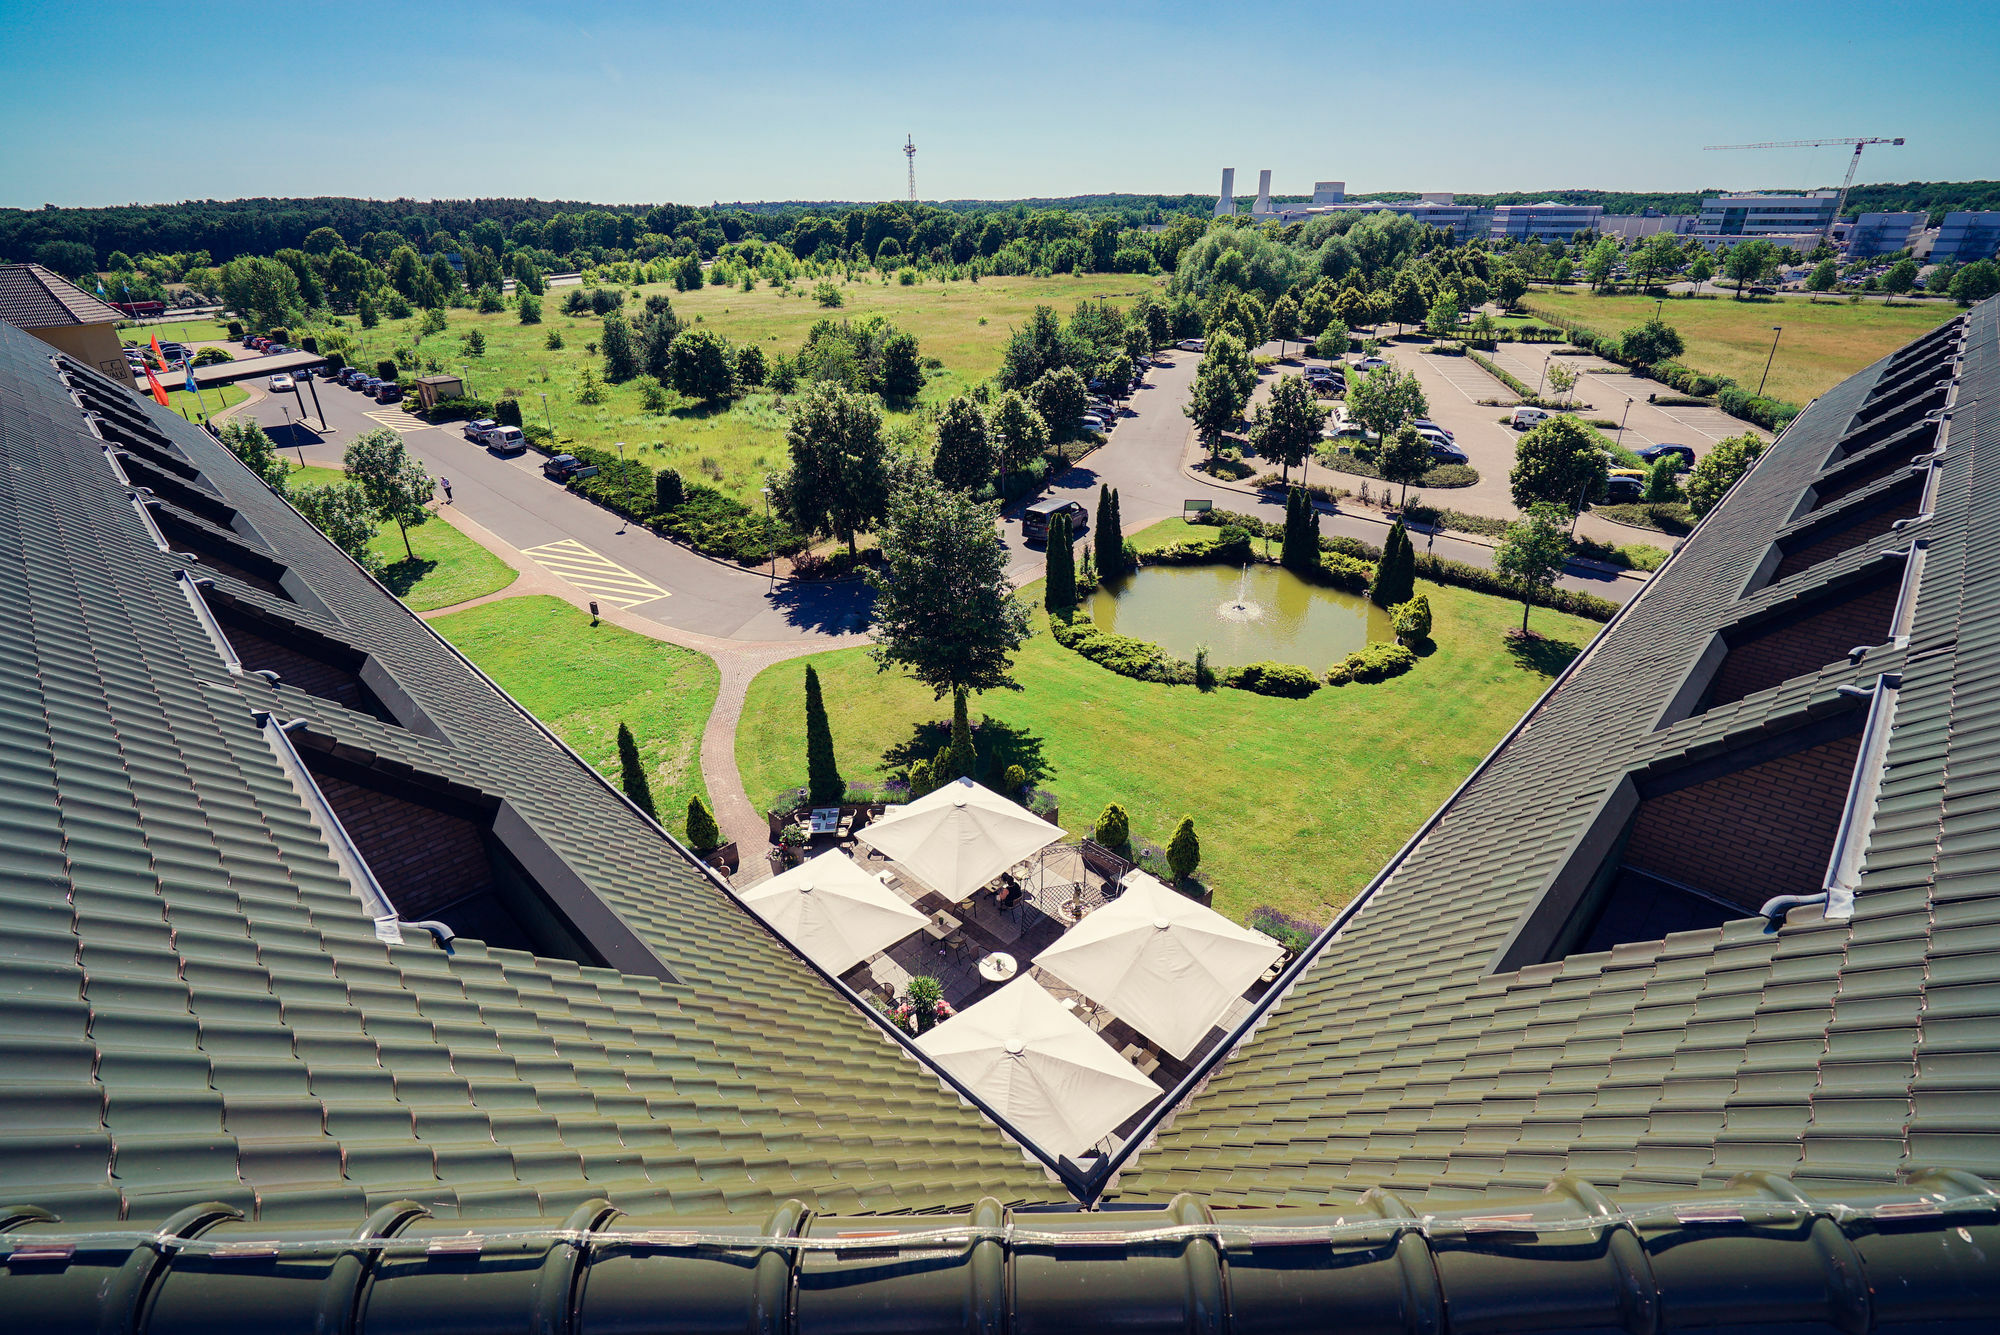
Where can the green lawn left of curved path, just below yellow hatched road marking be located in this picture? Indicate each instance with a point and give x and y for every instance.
(583, 680)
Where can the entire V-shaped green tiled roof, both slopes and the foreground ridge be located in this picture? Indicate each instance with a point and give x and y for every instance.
(203, 1032)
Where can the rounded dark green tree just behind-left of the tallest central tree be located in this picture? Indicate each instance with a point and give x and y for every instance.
(839, 477)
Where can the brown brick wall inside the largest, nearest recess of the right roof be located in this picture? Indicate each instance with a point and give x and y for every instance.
(1753, 834)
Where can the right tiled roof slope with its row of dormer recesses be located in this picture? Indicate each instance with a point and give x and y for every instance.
(1829, 1050)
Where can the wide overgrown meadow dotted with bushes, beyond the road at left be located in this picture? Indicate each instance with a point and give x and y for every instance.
(963, 325)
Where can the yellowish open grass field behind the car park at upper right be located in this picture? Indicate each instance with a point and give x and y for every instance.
(1823, 345)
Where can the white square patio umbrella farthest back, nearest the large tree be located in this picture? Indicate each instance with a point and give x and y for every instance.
(959, 836)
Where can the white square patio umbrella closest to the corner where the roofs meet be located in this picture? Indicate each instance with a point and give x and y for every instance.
(1041, 1068)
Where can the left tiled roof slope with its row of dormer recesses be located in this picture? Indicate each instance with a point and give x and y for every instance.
(195, 1004)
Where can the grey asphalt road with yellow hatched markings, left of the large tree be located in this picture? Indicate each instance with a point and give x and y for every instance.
(515, 503)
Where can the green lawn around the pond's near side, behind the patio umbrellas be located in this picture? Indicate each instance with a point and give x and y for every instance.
(1299, 802)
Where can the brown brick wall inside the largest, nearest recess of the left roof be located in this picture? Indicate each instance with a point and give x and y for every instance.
(423, 858)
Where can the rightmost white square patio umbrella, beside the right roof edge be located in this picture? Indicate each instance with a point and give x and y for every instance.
(1163, 962)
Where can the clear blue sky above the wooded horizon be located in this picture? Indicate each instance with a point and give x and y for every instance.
(749, 101)
